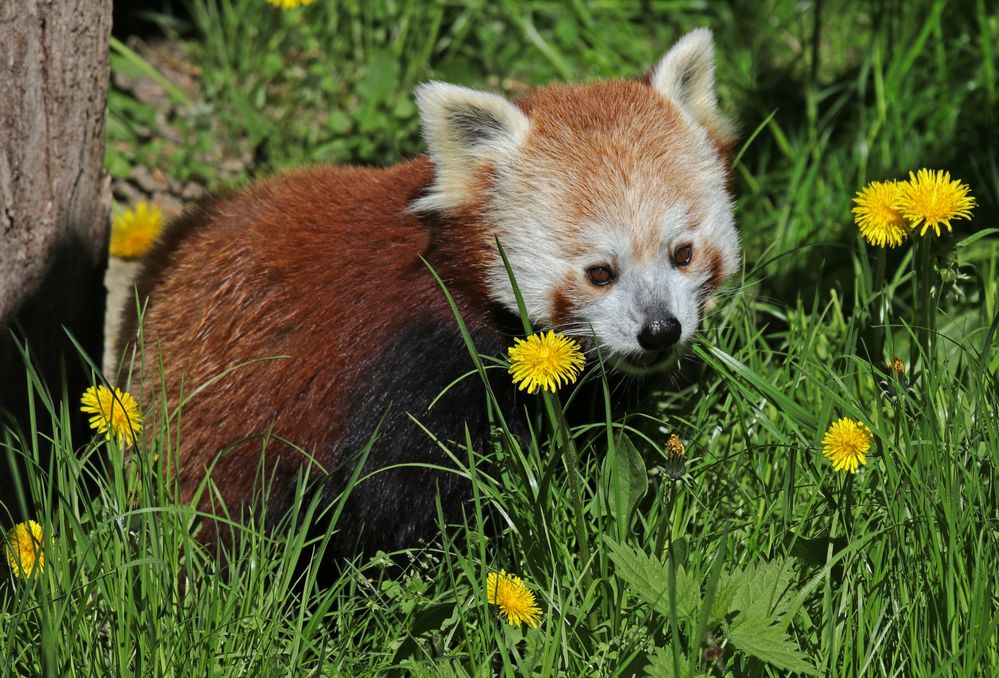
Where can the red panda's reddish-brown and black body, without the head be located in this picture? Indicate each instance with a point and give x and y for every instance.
(317, 276)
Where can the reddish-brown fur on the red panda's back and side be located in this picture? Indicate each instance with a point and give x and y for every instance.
(266, 274)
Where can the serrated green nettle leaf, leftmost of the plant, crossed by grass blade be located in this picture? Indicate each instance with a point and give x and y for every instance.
(649, 579)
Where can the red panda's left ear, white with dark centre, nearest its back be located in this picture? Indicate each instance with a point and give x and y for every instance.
(464, 128)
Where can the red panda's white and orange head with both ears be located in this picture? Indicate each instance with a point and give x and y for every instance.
(609, 199)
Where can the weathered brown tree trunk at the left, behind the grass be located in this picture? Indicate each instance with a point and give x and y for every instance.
(54, 199)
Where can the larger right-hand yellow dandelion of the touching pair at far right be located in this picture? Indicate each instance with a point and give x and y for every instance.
(931, 198)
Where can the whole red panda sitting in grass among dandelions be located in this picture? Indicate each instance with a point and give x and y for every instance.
(610, 200)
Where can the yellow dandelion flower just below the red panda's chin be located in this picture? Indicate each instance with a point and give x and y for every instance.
(545, 361)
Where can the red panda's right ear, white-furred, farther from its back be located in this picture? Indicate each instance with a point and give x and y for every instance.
(686, 76)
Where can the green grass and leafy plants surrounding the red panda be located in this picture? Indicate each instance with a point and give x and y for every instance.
(762, 559)
